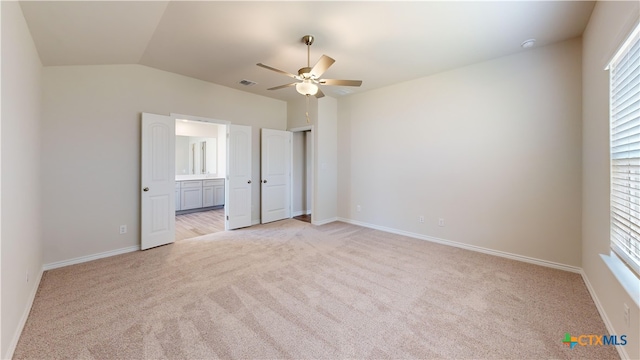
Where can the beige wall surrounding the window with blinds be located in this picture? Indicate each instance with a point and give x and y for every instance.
(610, 23)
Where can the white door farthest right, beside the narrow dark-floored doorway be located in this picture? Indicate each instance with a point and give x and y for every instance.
(276, 175)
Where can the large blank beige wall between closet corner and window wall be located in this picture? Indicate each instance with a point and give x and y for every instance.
(493, 148)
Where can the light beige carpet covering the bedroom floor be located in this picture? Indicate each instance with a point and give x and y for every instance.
(293, 290)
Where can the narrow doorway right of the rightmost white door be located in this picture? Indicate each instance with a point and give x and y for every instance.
(302, 174)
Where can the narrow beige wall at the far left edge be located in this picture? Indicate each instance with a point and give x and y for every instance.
(21, 231)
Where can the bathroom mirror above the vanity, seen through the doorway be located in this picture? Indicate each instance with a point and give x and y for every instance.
(196, 155)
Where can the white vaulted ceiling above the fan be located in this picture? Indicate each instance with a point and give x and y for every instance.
(378, 42)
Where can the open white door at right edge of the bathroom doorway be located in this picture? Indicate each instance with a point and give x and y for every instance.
(238, 189)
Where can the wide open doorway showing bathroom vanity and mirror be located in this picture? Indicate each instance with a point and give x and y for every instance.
(201, 153)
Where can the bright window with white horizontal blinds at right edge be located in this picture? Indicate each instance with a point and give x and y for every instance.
(624, 88)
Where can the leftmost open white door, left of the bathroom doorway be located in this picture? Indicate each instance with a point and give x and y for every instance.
(157, 204)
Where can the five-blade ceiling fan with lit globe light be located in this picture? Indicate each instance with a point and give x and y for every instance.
(309, 77)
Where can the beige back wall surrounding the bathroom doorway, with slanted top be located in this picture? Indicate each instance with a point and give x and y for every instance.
(91, 147)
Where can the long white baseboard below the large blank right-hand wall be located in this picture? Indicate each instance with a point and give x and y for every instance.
(499, 253)
